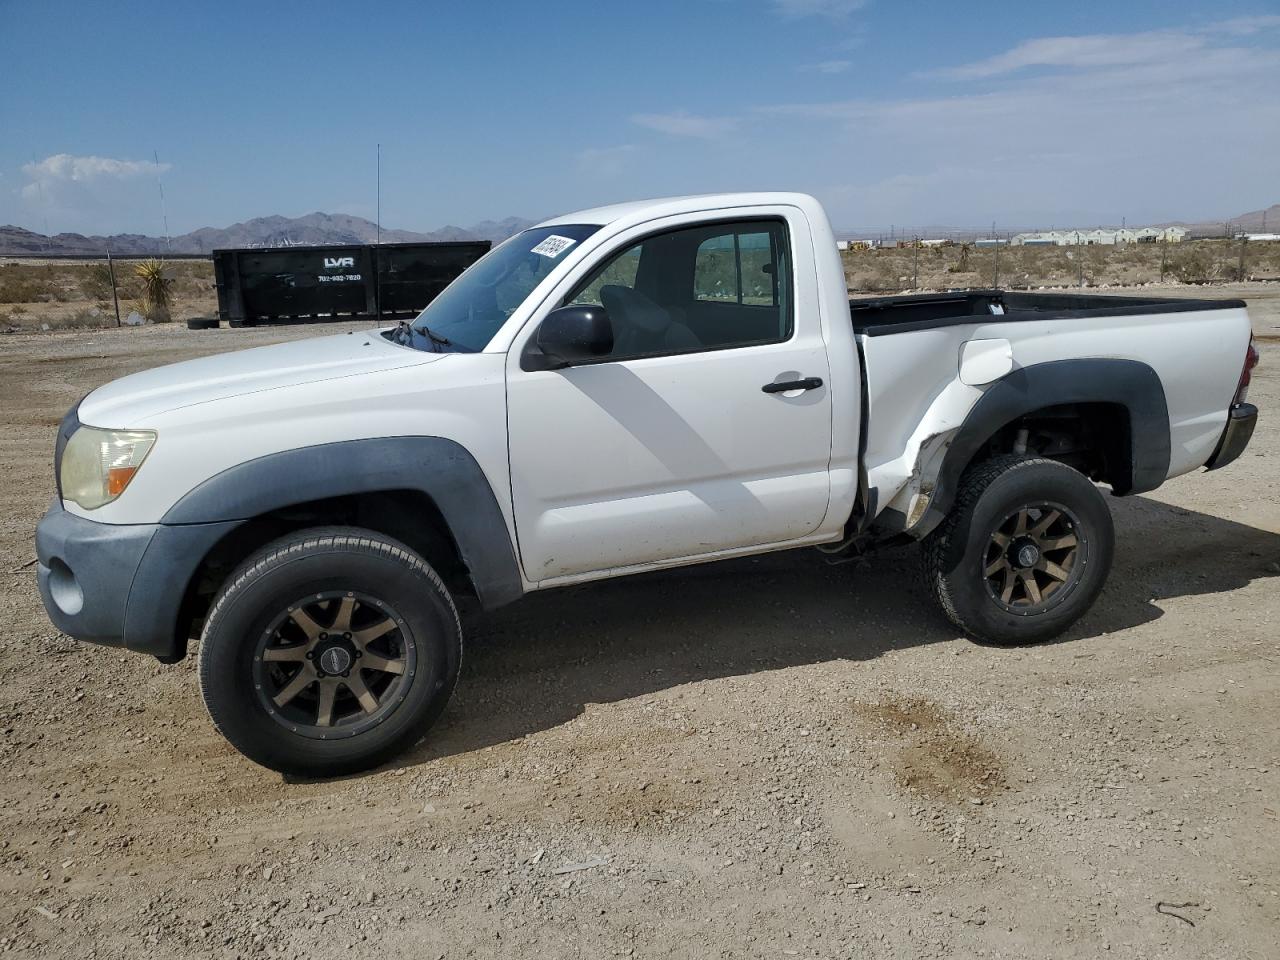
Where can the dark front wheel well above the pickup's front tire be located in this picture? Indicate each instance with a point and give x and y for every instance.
(409, 516)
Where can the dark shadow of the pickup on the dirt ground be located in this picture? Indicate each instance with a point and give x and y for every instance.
(536, 665)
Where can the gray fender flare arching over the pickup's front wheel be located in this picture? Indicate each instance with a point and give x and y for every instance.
(438, 468)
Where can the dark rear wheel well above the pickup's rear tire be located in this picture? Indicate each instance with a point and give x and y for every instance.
(1094, 438)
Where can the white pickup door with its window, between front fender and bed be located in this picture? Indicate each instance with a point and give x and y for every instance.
(669, 449)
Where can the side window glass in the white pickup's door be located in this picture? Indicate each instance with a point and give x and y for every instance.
(710, 287)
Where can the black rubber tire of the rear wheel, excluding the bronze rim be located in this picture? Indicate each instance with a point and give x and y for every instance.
(957, 555)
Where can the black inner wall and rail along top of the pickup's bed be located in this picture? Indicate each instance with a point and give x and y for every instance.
(924, 312)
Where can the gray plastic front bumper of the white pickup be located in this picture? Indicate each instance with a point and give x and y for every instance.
(121, 586)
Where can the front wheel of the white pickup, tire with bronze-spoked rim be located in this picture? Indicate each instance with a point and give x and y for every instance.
(330, 652)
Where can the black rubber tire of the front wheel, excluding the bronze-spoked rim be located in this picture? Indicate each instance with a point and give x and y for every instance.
(323, 563)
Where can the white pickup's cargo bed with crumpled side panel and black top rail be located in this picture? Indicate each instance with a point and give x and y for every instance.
(915, 397)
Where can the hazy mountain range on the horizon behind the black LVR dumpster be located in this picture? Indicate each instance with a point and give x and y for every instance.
(260, 232)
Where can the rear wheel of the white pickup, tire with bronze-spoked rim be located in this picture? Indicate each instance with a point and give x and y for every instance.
(1023, 554)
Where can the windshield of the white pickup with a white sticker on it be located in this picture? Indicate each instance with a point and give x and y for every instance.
(476, 307)
